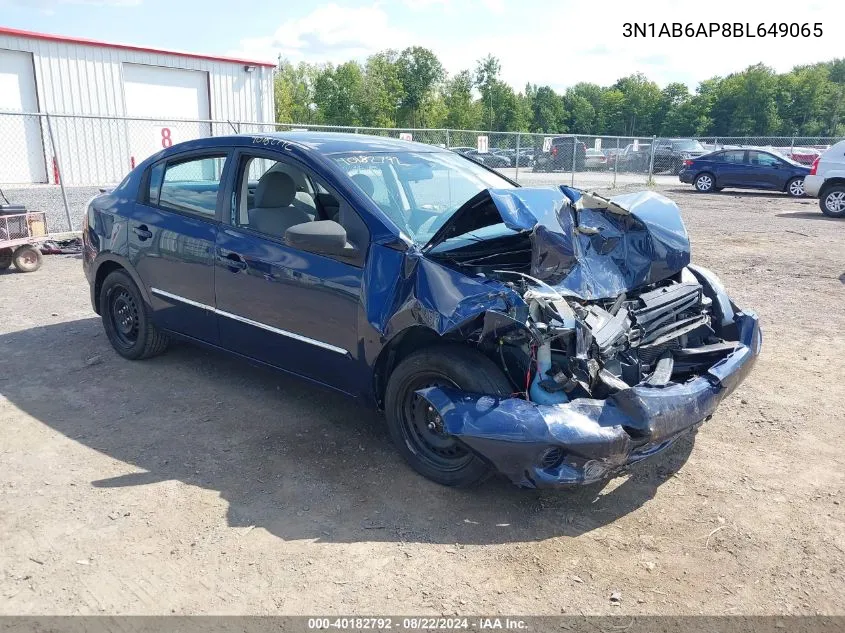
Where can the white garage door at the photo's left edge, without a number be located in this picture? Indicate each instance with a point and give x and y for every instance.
(22, 153)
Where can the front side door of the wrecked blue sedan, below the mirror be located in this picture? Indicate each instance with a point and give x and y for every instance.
(283, 306)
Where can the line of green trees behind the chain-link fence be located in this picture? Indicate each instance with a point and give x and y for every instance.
(411, 89)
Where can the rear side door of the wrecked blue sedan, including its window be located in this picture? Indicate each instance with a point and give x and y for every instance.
(171, 237)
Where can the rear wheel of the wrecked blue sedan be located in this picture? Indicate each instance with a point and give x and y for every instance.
(126, 319)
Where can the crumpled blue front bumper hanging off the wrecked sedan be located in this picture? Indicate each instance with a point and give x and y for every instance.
(588, 440)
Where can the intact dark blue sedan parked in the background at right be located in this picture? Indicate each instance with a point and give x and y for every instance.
(744, 169)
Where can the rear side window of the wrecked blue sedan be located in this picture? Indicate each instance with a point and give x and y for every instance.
(188, 186)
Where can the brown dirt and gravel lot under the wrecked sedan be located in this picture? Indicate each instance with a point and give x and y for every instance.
(195, 483)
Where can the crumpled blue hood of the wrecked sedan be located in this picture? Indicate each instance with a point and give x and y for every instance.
(583, 245)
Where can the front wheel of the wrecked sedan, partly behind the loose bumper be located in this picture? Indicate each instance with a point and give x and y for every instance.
(416, 429)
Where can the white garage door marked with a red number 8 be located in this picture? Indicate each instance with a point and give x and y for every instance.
(167, 94)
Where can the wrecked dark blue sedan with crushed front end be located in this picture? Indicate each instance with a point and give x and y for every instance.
(549, 334)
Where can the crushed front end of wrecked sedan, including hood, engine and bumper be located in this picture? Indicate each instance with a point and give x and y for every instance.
(618, 347)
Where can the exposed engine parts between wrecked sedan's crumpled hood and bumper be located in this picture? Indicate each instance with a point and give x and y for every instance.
(659, 334)
